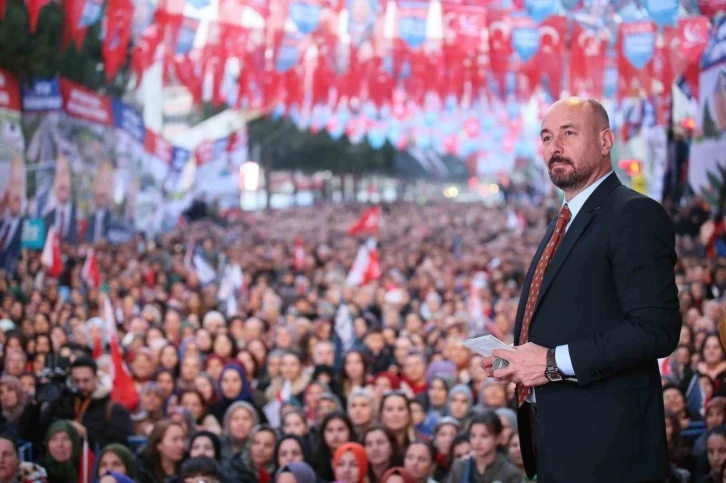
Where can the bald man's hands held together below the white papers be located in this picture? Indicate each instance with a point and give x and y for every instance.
(527, 365)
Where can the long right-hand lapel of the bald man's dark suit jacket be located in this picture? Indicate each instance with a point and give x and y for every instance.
(577, 228)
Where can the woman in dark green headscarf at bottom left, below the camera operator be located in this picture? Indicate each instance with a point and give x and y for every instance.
(64, 460)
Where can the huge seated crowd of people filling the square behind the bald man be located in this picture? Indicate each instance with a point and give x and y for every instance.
(293, 374)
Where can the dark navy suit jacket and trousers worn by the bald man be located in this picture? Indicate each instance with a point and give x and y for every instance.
(610, 294)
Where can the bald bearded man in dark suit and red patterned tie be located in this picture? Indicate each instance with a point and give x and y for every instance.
(598, 308)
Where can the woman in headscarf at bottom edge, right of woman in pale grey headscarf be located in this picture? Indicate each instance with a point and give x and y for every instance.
(257, 461)
